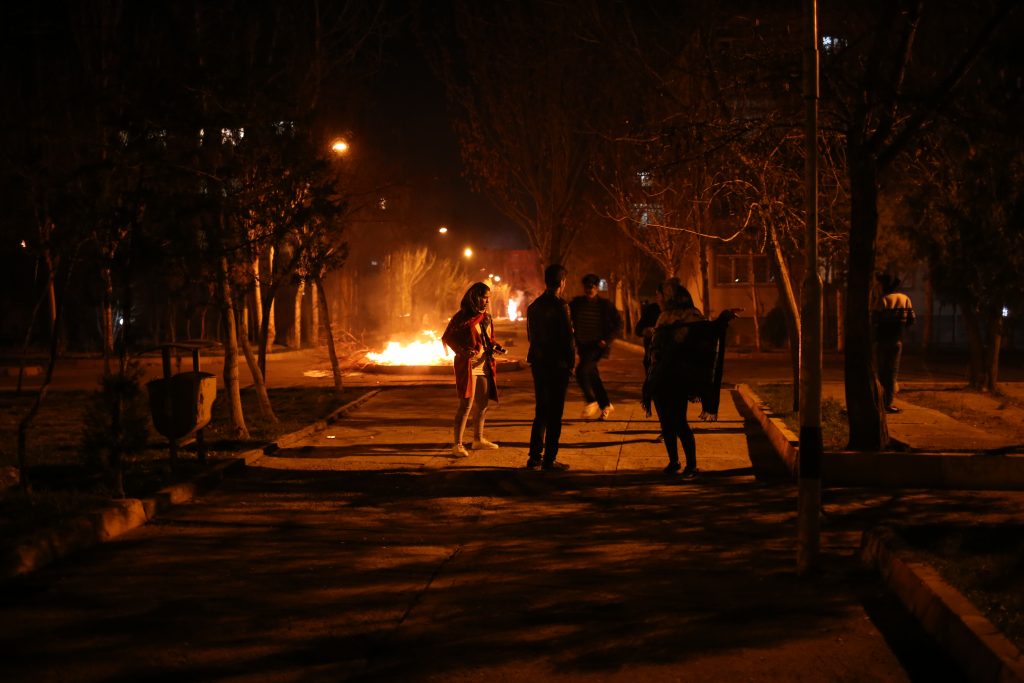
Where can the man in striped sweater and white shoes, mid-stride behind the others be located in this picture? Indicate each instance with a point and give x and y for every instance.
(596, 322)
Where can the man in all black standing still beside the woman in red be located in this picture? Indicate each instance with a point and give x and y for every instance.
(551, 355)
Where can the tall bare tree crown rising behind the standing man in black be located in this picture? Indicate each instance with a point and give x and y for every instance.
(520, 84)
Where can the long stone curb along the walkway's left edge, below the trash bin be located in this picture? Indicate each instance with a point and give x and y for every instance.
(89, 530)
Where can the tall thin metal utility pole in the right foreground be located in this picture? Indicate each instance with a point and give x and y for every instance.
(810, 317)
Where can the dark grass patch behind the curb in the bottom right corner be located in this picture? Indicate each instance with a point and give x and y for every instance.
(986, 564)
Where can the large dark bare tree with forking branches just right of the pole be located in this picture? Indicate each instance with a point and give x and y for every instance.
(891, 68)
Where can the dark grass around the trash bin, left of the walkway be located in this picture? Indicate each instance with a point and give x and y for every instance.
(65, 486)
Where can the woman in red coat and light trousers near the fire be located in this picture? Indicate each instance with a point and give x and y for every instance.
(471, 336)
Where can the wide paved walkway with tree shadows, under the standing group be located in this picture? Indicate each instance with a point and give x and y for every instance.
(367, 552)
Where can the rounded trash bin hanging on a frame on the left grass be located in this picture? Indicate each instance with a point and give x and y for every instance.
(182, 404)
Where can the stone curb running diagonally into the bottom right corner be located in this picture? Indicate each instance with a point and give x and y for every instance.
(982, 651)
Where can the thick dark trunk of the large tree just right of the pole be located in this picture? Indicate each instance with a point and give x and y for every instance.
(869, 431)
